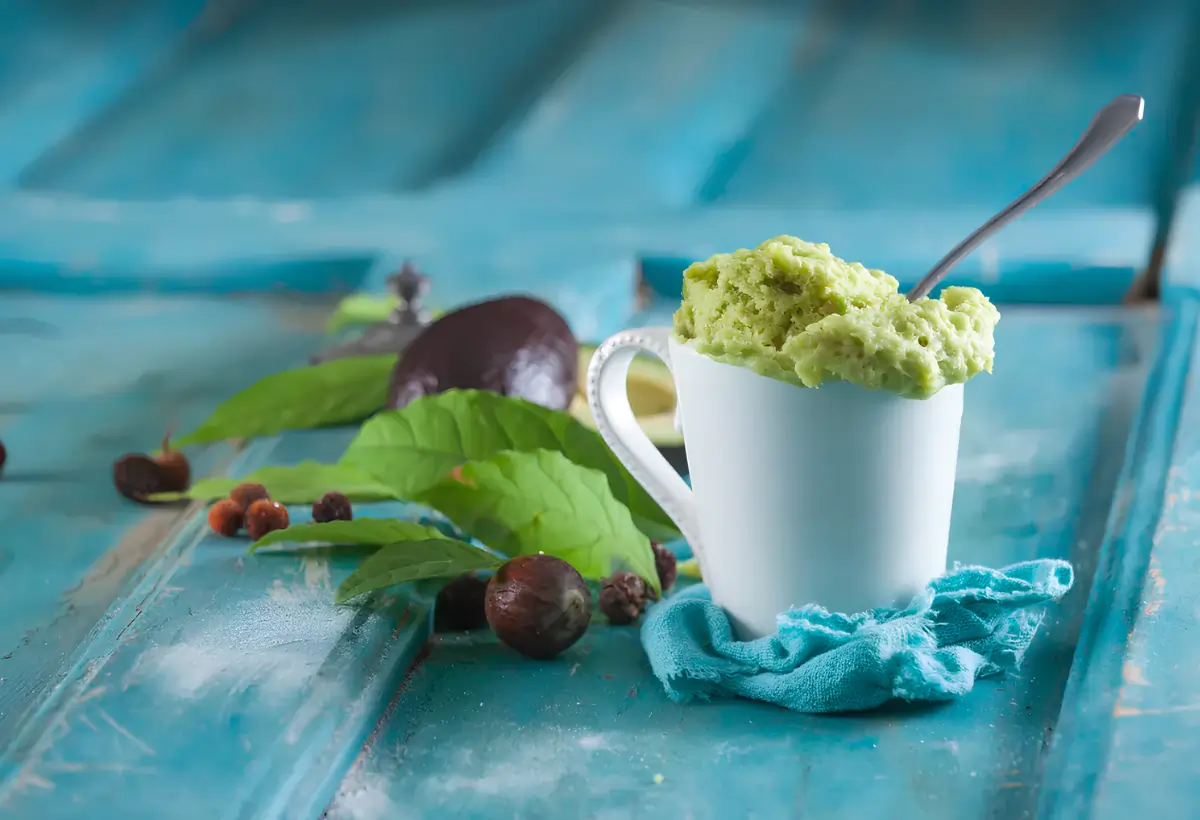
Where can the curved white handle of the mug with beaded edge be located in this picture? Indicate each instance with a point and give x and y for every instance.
(609, 403)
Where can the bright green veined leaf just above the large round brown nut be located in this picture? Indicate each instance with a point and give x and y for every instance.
(523, 504)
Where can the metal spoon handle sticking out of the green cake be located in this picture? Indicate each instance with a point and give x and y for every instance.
(1109, 125)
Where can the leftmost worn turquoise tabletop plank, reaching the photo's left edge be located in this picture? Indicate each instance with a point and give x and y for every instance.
(86, 381)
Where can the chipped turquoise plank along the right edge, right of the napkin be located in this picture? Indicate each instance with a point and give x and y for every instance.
(1127, 738)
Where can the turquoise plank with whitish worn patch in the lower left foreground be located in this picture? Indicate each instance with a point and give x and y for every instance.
(219, 668)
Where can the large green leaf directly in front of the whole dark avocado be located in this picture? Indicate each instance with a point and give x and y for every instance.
(412, 450)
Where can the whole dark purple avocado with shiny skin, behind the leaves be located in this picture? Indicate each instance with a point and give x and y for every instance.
(514, 346)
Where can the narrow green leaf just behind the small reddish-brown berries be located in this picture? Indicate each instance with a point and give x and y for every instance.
(301, 484)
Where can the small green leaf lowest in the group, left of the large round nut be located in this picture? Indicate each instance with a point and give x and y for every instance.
(415, 561)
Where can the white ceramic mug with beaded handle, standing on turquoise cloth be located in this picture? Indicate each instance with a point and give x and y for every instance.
(838, 496)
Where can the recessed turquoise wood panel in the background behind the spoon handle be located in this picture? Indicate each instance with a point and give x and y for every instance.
(915, 105)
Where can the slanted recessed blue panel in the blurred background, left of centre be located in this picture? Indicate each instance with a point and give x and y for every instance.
(430, 86)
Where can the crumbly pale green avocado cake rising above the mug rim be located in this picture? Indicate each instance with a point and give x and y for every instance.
(794, 312)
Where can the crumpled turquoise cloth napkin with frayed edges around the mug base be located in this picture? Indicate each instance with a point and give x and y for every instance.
(964, 626)
